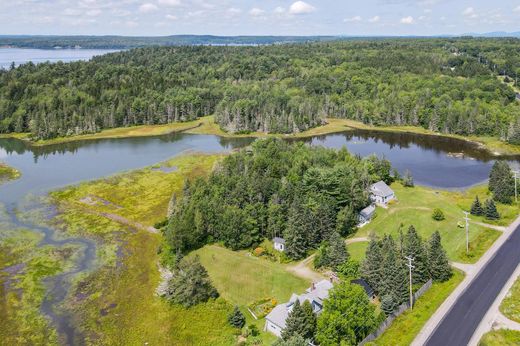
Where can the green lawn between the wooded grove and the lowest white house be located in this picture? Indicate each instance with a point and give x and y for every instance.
(241, 278)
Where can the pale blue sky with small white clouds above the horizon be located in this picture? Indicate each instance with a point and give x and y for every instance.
(268, 17)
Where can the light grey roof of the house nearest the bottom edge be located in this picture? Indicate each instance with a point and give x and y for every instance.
(317, 294)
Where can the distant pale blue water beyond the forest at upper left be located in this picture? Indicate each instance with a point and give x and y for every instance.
(23, 55)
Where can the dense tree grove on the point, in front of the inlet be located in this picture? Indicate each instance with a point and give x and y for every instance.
(275, 188)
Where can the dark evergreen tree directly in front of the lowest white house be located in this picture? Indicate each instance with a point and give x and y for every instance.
(301, 321)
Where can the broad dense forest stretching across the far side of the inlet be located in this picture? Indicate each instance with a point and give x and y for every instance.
(445, 85)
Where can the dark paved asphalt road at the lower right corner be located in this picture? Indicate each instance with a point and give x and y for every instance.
(462, 320)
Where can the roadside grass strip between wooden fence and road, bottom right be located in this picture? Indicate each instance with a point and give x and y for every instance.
(406, 327)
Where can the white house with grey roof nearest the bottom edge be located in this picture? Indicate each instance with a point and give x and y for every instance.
(316, 294)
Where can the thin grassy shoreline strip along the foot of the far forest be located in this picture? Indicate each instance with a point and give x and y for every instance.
(207, 126)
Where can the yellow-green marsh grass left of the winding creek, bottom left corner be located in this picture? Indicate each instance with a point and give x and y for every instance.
(23, 266)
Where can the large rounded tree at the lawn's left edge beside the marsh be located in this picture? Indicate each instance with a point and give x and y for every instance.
(190, 284)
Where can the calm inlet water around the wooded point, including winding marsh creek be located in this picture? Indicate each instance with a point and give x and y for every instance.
(433, 161)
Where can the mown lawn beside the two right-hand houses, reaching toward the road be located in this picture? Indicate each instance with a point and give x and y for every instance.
(415, 206)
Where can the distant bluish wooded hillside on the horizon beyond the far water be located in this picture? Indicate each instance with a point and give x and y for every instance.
(126, 42)
